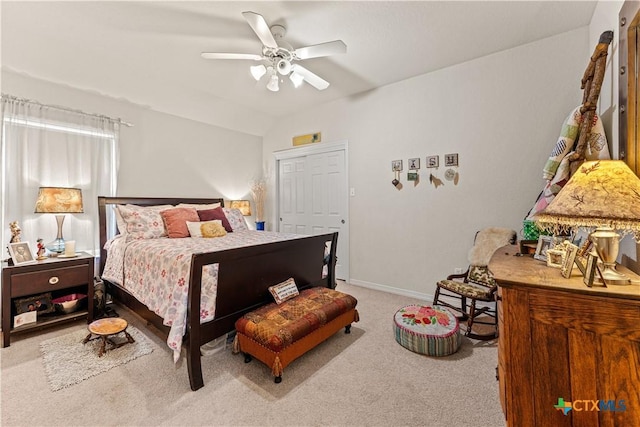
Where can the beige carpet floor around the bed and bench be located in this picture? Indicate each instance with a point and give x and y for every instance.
(360, 379)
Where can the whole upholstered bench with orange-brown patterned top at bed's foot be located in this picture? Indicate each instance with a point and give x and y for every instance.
(277, 334)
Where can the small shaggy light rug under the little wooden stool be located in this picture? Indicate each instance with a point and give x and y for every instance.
(68, 361)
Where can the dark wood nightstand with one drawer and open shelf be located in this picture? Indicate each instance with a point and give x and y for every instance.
(59, 276)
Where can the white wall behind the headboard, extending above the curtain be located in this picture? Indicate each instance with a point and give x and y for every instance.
(161, 155)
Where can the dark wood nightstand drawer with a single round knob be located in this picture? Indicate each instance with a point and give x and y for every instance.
(49, 280)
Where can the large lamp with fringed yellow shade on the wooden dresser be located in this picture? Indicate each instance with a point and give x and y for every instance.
(604, 194)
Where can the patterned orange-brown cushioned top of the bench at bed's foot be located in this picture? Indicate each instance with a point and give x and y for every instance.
(278, 326)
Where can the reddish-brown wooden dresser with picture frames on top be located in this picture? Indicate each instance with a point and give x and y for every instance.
(562, 340)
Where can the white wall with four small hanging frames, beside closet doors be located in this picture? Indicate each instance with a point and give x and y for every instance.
(502, 114)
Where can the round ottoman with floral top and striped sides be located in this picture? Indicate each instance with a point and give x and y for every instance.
(430, 330)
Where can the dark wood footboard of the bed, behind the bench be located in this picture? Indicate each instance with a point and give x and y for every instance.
(244, 276)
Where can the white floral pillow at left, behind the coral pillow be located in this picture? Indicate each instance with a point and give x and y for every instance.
(143, 222)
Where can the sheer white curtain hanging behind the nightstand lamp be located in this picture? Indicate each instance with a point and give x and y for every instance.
(47, 146)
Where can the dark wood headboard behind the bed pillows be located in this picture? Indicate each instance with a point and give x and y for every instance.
(105, 219)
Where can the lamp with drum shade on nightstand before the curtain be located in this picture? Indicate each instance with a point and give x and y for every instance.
(59, 201)
